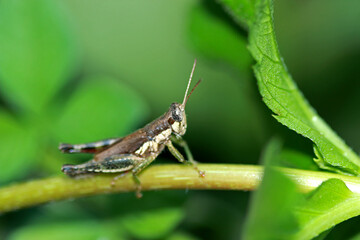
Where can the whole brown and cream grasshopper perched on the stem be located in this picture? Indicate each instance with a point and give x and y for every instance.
(136, 151)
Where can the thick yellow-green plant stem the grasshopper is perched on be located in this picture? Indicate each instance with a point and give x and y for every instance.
(169, 176)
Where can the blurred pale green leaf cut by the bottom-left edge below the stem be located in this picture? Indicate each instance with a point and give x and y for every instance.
(69, 230)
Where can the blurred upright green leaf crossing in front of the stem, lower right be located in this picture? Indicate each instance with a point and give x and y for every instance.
(270, 215)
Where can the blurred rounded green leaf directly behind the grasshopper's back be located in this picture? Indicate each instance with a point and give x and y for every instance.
(101, 108)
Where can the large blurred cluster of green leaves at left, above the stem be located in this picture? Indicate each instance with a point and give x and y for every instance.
(38, 54)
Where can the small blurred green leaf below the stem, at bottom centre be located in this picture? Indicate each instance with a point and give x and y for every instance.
(153, 225)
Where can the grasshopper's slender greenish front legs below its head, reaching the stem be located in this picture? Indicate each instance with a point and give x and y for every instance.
(178, 140)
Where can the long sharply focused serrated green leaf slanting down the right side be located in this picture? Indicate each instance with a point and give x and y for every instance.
(282, 96)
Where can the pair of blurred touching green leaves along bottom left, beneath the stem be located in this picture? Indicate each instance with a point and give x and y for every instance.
(148, 225)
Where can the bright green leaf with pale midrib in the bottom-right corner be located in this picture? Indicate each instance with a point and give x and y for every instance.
(331, 203)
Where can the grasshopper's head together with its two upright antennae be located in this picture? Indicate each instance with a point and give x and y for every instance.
(177, 118)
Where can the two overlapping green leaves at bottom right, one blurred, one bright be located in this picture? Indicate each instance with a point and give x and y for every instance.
(283, 213)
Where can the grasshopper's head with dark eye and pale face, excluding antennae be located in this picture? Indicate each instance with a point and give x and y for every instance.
(177, 118)
